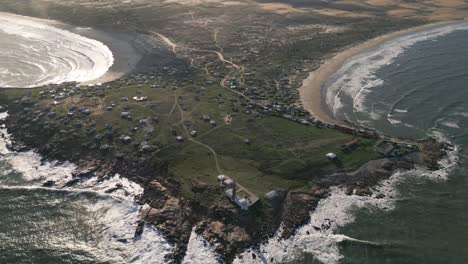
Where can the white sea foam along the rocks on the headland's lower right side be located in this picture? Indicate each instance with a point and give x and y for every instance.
(319, 237)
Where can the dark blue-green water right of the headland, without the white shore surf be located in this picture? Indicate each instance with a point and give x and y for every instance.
(423, 91)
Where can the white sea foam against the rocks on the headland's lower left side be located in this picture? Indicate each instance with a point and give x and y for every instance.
(114, 214)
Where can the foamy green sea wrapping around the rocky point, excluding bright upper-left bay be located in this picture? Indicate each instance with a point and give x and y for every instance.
(412, 87)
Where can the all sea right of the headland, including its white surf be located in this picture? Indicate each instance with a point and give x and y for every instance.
(413, 86)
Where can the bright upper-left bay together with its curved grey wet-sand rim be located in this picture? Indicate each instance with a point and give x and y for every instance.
(39, 52)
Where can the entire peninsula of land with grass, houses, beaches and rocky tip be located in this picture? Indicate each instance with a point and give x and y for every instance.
(215, 109)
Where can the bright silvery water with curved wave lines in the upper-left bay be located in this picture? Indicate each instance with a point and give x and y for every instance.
(35, 53)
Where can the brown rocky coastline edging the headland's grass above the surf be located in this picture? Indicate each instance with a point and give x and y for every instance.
(215, 217)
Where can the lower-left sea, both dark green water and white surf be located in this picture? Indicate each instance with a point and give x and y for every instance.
(82, 224)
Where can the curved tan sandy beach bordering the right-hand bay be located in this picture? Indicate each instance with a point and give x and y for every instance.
(311, 92)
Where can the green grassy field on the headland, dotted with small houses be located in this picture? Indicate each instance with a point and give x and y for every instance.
(280, 154)
